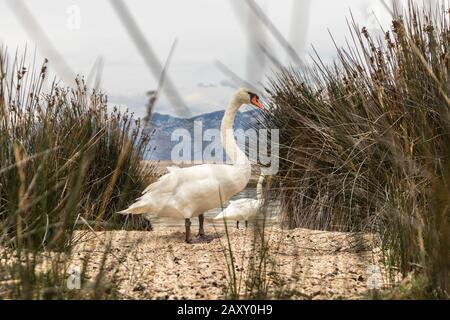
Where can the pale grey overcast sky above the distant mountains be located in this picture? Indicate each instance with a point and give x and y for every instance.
(206, 31)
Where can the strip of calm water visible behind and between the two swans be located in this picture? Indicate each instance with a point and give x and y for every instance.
(209, 215)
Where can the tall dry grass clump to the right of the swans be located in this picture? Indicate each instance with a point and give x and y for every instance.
(366, 143)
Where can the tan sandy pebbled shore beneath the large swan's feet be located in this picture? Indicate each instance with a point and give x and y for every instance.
(159, 265)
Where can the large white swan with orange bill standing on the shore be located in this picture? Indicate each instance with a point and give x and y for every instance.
(189, 192)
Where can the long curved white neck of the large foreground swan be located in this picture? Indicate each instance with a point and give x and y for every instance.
(236, 155)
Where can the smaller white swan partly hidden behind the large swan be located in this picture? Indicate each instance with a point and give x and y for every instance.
(243, 209)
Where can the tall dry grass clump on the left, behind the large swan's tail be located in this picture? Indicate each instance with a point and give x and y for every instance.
(66, 163)
